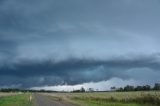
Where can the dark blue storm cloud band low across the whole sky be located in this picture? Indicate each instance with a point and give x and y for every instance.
(74, 71)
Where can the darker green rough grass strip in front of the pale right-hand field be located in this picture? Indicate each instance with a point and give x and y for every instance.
(113, 102)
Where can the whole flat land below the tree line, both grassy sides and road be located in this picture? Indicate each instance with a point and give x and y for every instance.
(139, 98)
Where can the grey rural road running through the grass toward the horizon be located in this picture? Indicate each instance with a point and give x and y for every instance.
(42, 100)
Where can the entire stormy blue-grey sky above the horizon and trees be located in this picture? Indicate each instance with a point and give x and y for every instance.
(66, 44)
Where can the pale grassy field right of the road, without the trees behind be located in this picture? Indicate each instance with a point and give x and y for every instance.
(110, 98)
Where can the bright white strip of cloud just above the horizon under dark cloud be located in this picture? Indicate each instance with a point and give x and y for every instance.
(101, 86)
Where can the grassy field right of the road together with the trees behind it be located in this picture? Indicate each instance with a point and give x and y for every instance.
(143, 95)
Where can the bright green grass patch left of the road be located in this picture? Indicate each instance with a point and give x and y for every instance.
(16, 100)
